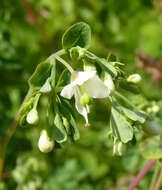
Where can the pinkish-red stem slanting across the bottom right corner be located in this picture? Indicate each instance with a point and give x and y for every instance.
(140, 176)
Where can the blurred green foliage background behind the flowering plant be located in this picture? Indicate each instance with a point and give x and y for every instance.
(29, 32)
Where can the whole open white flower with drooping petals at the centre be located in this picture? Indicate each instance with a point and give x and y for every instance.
(85, 82)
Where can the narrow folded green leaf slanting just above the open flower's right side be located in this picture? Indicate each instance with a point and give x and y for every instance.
(107, 66)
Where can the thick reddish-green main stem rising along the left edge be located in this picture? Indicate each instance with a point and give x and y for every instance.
(5, 139)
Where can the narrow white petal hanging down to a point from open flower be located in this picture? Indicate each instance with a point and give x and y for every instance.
(81, 109)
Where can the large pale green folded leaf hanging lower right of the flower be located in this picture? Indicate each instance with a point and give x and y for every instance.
(119, 125)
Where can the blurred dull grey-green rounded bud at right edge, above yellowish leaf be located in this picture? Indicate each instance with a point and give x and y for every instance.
(151, 128)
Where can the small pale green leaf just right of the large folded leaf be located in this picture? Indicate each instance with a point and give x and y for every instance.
(139, 117)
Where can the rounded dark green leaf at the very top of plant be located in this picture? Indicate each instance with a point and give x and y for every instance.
(78, 34)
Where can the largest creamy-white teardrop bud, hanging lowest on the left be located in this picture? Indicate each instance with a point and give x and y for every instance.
(45, 144)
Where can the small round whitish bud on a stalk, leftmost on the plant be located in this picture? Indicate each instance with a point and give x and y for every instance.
(32, 117)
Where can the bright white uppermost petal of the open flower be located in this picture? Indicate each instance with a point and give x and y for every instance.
(83, 77)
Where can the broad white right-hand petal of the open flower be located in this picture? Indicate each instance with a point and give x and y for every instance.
(96, 88)
